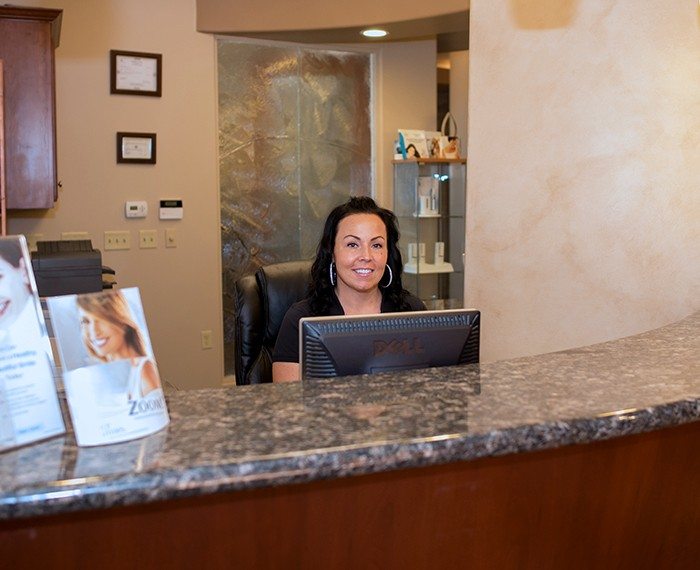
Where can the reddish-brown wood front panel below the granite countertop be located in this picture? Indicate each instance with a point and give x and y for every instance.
(623, 503)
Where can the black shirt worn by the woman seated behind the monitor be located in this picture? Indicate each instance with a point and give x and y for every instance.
(287, 344)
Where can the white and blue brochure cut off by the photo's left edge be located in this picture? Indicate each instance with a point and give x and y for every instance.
(29, 408)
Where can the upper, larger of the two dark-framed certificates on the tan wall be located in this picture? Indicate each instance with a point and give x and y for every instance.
(135, 73)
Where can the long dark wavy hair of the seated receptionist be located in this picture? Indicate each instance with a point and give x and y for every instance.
(321, 289)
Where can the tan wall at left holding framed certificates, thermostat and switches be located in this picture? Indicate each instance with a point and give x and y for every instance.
(180, 287)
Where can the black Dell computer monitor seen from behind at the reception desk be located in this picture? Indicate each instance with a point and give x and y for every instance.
(348, 345)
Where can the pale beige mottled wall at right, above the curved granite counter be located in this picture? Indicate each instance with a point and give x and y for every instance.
(584, 162)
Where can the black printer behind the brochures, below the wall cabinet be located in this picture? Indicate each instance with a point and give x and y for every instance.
(67, 267)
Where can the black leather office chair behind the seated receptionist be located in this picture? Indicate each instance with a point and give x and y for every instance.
(260, 303)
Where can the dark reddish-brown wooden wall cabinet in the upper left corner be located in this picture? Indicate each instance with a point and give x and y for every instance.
(28, 38)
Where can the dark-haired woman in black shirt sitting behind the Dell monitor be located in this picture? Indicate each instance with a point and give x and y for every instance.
(357, 271)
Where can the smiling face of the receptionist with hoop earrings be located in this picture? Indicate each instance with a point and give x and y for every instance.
(360, 252)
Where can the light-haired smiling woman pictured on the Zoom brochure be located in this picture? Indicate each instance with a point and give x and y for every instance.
(110, 334)
